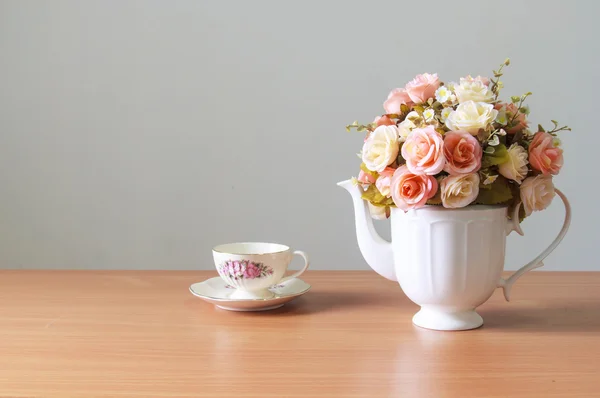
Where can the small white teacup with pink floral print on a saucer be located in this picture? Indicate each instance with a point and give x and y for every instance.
(252, 267)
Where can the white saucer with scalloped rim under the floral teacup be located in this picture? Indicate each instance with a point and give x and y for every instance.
(217, 292)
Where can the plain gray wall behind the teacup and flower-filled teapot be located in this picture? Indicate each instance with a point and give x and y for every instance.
(138, 134)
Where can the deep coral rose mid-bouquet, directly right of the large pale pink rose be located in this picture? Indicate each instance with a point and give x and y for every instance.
(463, 153)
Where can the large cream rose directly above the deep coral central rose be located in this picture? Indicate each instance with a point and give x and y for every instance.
(471, 116)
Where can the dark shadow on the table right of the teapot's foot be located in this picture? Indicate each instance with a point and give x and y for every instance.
(551, 318)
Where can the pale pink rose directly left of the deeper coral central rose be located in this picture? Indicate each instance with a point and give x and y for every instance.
(423, 151)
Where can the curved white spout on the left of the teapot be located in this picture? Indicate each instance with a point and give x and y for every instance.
(376, 251)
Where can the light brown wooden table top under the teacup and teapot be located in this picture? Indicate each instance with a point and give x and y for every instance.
(142, 334)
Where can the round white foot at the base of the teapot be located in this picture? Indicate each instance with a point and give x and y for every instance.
(440, 318)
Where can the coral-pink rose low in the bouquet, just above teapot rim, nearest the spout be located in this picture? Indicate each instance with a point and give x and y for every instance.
(411, 191)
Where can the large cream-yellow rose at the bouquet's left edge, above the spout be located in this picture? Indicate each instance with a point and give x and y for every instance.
(381, 148)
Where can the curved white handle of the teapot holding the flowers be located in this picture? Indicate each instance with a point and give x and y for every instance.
(513, 225)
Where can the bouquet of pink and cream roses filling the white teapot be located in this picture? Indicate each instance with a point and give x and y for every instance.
(456, 144)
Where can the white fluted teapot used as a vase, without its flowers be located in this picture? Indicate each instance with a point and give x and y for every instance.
(448, 261)
